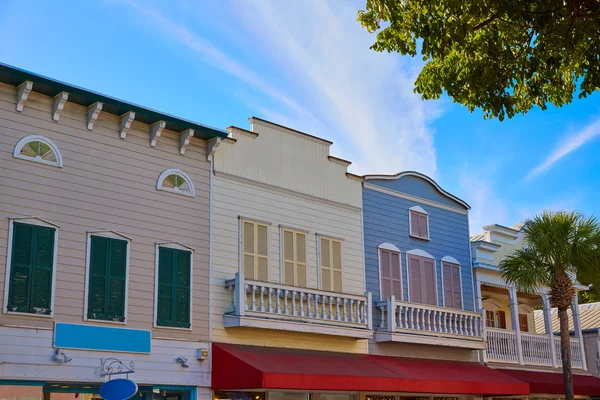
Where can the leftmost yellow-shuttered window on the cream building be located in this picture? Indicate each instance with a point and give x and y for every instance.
(255, 249)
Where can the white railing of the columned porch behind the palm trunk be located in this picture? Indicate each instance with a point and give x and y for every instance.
(534, 349)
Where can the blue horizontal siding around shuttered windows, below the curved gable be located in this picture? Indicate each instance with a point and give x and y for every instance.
(386, 221)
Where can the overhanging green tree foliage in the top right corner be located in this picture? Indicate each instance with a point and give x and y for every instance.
(503, 57)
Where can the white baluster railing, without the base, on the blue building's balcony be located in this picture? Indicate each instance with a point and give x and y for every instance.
(425, 318)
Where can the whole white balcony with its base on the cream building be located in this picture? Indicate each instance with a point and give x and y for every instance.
(275, 306)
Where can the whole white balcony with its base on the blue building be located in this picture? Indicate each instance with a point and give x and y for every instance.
(425, 324)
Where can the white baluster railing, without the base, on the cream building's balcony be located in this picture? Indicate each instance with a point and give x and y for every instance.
(267, 299)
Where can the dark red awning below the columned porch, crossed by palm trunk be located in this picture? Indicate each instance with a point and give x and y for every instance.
(552, 383)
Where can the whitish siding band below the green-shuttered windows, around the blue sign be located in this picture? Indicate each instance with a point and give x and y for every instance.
(26, 354)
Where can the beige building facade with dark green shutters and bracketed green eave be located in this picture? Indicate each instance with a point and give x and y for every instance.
(104, 242)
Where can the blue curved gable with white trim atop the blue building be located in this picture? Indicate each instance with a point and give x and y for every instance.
(418, 186)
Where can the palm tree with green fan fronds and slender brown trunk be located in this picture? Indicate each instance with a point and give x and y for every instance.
(557, 247)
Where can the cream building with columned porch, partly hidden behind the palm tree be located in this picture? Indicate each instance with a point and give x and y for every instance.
(522, 339)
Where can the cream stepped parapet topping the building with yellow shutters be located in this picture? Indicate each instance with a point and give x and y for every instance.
(289, 160)
